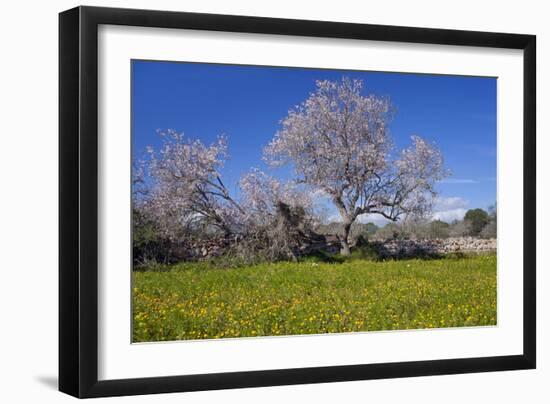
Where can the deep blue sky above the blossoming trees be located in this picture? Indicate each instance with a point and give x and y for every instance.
(246, 104)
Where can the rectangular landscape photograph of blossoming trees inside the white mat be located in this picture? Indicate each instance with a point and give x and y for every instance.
(274, 201)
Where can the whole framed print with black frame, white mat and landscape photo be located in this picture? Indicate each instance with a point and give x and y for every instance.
(251, 201)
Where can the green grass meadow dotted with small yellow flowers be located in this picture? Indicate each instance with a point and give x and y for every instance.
(199, 301)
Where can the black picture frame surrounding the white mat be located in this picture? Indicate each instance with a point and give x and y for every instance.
(78, 201)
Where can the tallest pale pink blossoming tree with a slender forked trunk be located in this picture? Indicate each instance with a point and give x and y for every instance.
(338, 142)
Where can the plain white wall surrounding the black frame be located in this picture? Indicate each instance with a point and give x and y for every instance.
(28, 221)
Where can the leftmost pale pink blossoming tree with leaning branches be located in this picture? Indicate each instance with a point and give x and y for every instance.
(187, 187)
